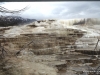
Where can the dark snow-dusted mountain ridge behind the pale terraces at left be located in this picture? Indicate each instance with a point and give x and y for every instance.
(14, 20)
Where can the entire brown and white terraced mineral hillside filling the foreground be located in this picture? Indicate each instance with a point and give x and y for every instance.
(51, 47)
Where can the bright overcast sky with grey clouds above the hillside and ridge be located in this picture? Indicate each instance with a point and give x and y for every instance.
(57, 10)
